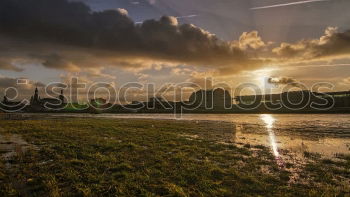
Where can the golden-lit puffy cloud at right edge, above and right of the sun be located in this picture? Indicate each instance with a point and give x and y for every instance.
(329, 46)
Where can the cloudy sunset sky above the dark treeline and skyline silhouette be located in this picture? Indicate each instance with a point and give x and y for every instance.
(265, 42)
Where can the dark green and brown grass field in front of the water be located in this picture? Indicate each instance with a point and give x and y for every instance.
(103, 157)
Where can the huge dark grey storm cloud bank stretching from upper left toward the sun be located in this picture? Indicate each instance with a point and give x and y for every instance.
(56, 23)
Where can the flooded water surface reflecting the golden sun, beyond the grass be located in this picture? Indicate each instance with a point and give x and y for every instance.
(327, 134)
